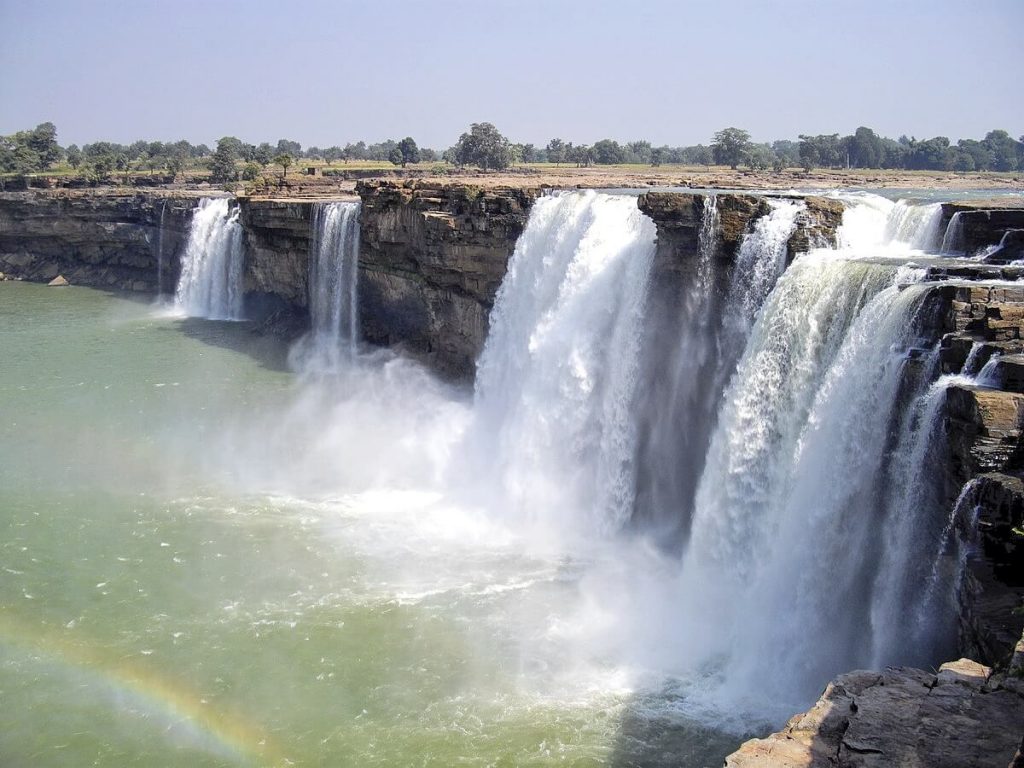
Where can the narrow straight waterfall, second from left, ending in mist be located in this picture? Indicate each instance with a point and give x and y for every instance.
(334, 259)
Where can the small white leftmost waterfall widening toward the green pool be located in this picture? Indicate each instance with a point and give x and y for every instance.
(210, 285)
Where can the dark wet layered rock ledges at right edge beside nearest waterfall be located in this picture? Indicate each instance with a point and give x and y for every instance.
(985, 466)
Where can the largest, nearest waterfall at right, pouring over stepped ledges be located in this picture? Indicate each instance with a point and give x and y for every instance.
(792, 503)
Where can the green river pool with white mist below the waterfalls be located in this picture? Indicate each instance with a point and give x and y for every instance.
(208, 562)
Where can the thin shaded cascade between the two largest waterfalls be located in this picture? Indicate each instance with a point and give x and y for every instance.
(693, 353)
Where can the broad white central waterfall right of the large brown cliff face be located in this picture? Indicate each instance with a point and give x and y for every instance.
(559, 373)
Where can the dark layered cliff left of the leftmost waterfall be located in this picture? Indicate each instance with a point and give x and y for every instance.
(106, 241)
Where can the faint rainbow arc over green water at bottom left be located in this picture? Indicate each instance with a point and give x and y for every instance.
(185, 709)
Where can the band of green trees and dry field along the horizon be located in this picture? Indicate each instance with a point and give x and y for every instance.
(37, 151)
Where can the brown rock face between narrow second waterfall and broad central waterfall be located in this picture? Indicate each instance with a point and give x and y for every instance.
(432, 261)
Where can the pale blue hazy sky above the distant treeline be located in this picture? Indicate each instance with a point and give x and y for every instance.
(672, 72)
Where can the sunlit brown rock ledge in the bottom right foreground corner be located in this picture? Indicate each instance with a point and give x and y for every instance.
(963, 716)
